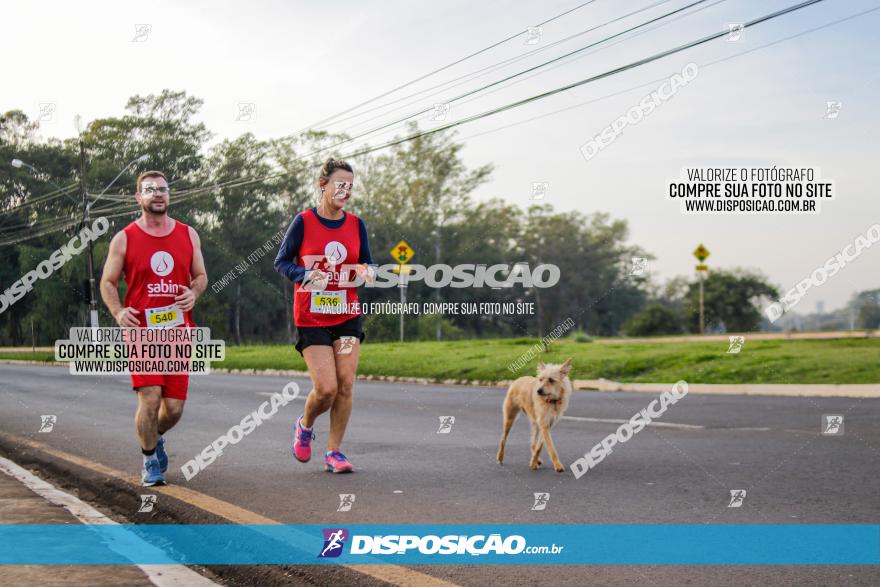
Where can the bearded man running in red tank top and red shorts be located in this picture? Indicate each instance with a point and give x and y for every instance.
(161, 259)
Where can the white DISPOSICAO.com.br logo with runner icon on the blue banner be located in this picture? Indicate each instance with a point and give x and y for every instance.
(429, 544)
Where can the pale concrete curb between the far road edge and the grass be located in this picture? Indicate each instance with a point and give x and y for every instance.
(853, 390)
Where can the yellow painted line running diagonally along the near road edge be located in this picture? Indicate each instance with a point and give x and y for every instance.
(394, 574)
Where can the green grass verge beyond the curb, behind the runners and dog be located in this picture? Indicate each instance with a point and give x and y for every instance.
(776, 361)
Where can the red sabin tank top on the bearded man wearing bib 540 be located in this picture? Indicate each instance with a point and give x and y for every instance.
(155, 268)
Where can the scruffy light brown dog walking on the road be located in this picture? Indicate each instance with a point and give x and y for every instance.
(544, 399)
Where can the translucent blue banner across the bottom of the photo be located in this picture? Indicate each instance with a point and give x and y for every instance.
(456, 544)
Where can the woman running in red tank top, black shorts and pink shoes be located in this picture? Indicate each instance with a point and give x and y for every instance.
(323, 249)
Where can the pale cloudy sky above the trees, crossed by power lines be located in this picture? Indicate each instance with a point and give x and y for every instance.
(298, 63)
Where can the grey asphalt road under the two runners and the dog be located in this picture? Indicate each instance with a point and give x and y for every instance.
(407, 472)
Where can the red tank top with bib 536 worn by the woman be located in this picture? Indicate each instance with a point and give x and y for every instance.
(335, 251)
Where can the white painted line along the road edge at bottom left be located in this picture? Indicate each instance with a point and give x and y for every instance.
(159, 575)
